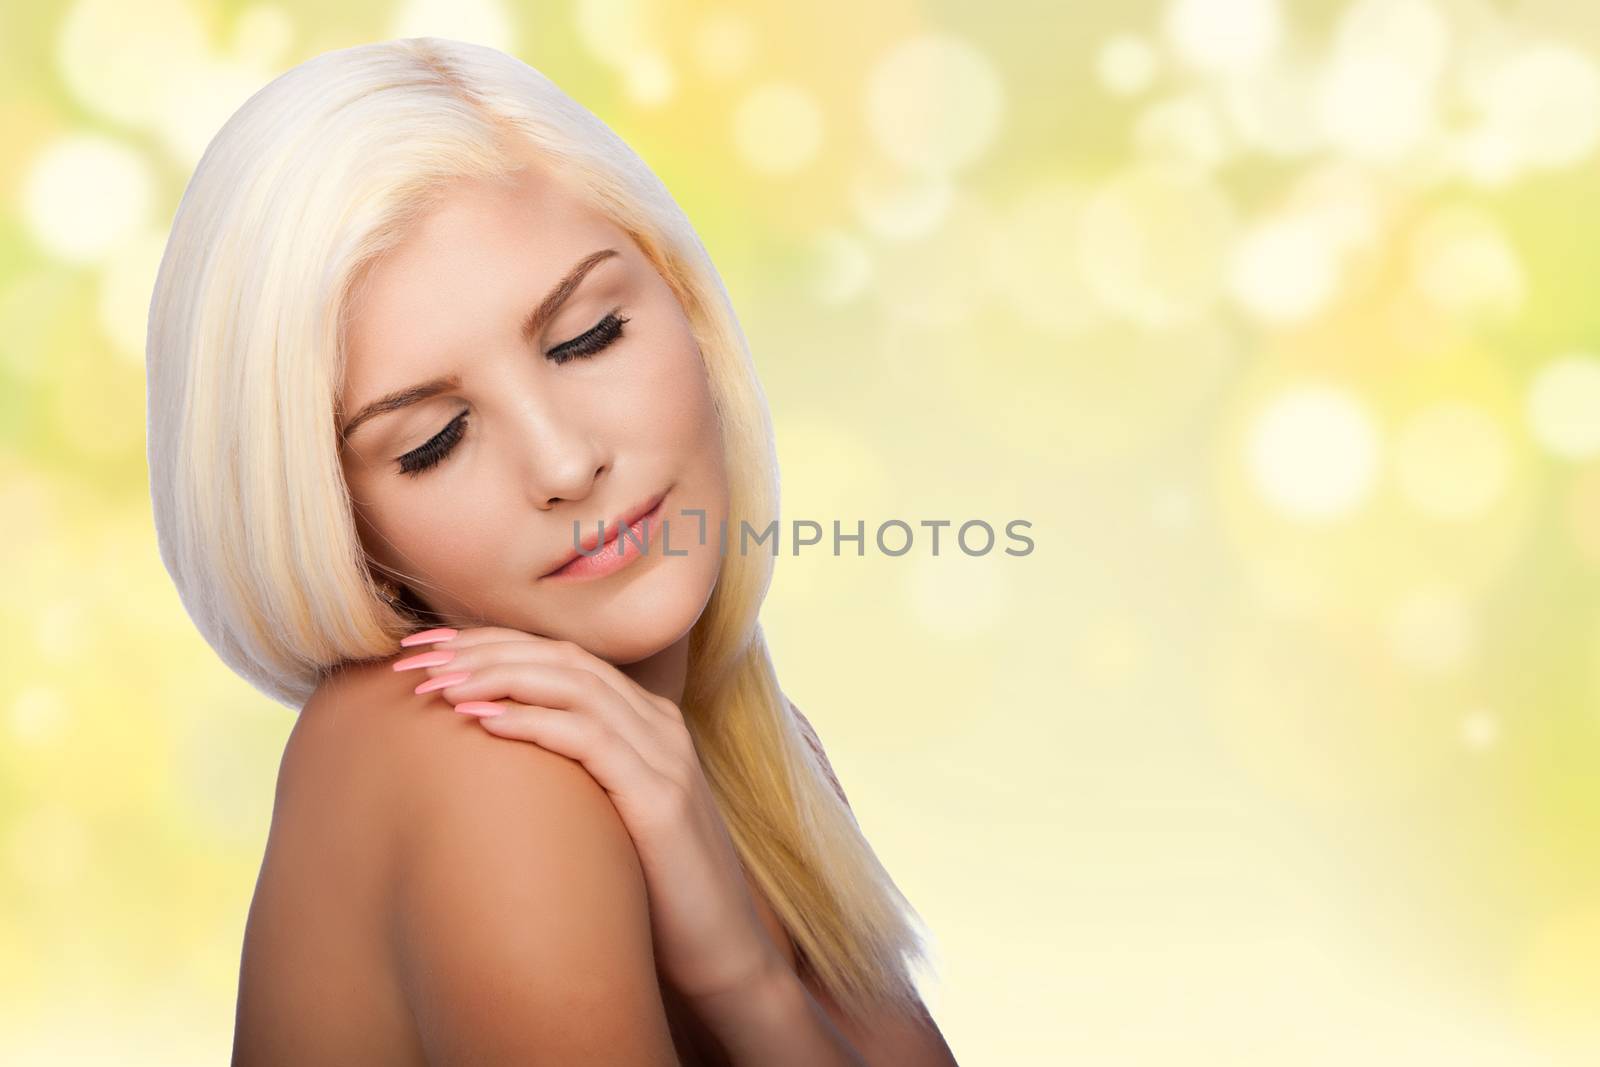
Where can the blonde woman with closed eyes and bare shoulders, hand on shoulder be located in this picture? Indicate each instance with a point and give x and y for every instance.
(433, 358)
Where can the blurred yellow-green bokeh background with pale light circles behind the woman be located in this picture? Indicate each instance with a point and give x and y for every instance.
(1276, 321)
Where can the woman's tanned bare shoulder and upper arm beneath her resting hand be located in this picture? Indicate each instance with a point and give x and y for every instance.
(519, 914)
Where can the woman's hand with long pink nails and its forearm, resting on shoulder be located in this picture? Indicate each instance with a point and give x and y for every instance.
(710, 938)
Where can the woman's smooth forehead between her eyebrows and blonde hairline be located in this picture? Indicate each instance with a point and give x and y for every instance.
(466, 274)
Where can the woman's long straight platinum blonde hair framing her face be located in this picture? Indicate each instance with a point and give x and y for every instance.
(303, 190)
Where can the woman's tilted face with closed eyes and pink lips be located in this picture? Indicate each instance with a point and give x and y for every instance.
(471, 492)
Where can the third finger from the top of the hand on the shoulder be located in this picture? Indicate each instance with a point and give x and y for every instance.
(575, 692)
